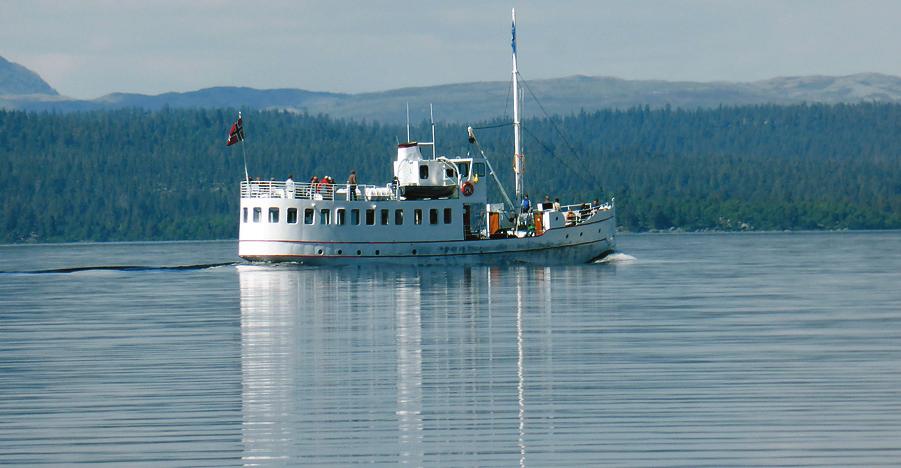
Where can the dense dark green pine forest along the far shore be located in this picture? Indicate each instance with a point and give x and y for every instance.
(165, 175)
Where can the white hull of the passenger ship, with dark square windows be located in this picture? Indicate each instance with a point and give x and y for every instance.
(412, 242)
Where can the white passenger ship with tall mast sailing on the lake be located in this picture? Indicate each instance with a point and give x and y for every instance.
(435, 211)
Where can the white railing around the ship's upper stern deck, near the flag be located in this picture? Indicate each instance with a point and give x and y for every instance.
(315, 191)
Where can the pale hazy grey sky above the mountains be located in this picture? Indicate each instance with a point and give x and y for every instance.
(89, 48)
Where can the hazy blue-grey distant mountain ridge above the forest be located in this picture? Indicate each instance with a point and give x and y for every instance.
(476, 101)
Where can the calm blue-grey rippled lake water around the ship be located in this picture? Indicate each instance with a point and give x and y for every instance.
(682, 350)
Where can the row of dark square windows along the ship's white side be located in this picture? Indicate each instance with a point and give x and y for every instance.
(340, 216)
